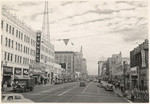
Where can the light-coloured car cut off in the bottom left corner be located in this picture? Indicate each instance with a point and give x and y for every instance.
(14, 98)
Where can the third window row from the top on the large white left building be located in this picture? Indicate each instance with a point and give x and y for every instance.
(16, 58)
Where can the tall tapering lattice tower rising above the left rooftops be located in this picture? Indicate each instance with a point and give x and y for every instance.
(45, 25)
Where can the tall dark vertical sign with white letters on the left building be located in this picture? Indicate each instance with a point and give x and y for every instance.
(38, 43)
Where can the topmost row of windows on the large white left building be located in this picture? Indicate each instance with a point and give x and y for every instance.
(19, 34)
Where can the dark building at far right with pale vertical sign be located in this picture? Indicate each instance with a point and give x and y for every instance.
(139, 65)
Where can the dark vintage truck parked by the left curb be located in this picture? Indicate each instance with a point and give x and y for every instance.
(24, 84)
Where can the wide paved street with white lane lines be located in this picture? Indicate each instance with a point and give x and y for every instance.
(72, 92)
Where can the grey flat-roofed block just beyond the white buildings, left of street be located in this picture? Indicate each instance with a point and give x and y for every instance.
(66, 58)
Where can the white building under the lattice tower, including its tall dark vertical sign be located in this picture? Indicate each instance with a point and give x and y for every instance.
(44, 56)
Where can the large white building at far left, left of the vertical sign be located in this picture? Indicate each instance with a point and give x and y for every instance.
(18, 44)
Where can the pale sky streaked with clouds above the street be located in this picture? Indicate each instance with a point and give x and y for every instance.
(101, 28)
